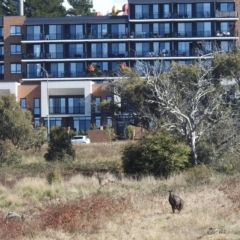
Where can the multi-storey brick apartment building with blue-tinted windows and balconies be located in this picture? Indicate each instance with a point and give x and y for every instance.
(59, 66)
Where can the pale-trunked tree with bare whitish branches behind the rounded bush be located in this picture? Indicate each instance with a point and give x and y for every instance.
(186, 99)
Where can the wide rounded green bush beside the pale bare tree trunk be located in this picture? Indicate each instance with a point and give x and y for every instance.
(159, 154)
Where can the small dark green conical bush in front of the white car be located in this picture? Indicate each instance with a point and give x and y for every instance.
(60, 146)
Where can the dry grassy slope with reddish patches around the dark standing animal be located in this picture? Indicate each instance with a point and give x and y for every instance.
(87, 200)
